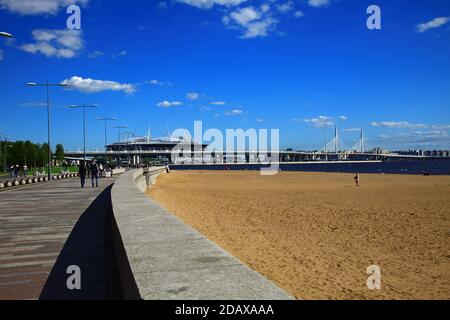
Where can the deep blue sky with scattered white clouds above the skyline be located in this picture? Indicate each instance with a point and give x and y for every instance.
(298, 66)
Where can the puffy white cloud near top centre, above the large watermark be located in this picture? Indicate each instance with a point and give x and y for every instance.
(254, 22)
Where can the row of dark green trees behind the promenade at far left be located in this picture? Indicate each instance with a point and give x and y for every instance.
(28, 153)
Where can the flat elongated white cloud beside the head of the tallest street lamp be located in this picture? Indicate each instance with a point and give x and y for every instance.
(93, 86)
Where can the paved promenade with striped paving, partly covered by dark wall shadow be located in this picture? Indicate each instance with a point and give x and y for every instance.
(47, 227)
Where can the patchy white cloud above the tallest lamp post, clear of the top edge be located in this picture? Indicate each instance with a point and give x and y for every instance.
(55, 43)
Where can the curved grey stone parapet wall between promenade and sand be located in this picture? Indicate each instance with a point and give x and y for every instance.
(161, 258)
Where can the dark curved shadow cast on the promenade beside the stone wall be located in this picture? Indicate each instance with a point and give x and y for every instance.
(90, 247)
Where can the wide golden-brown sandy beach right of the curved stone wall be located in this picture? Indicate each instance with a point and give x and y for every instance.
(315, 234)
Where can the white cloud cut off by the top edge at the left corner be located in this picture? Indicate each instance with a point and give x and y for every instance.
(34, 7)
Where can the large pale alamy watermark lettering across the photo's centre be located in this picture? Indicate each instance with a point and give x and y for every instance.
(235, 146)
